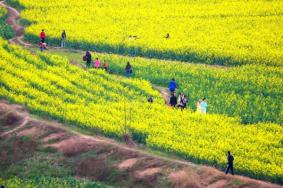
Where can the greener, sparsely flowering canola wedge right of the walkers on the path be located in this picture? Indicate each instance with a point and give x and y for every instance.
(251, 92)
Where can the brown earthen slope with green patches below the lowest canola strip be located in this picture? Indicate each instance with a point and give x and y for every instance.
(46, 153)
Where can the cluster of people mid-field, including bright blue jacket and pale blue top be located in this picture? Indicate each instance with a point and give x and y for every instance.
(182, 100)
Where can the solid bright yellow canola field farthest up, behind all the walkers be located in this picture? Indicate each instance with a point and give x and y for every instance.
(214, 32)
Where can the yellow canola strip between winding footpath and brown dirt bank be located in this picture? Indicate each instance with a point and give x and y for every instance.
(95, 100)
